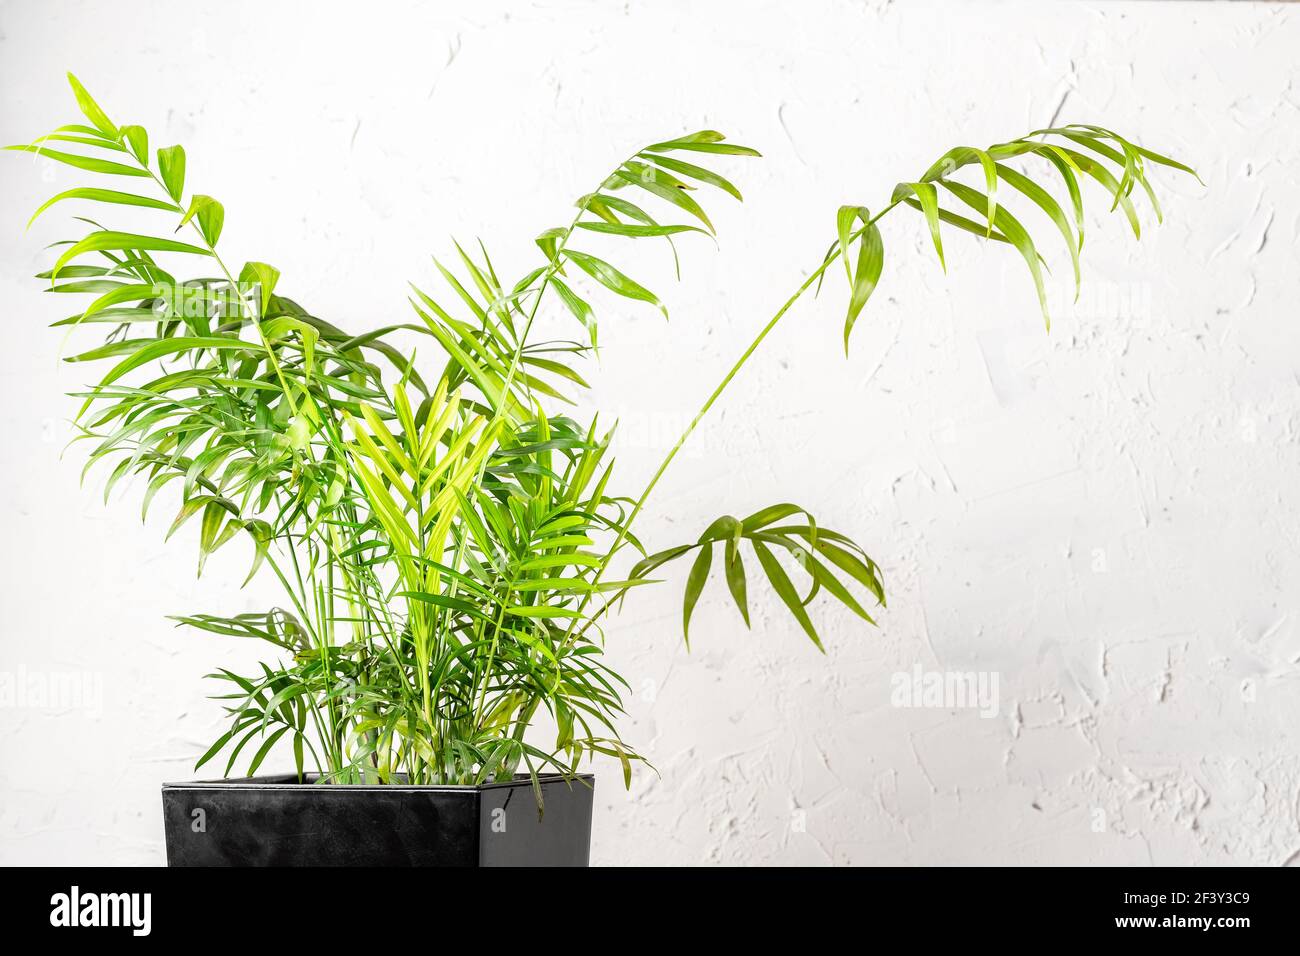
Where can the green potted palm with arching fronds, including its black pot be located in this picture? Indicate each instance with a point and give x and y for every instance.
(448, 539)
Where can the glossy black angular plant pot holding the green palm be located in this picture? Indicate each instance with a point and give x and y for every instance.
(275, 821)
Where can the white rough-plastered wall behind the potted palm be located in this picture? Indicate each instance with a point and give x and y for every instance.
(1108, 518)
